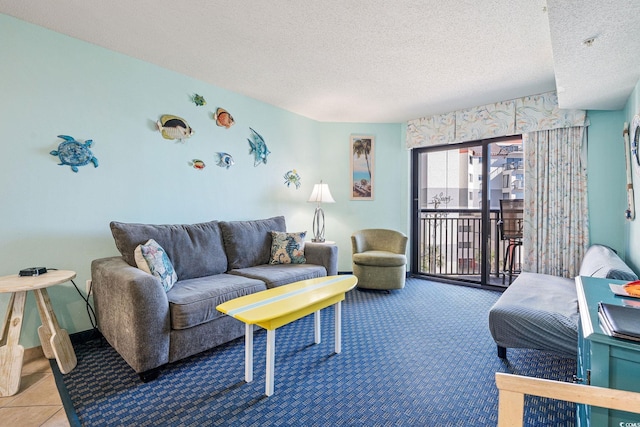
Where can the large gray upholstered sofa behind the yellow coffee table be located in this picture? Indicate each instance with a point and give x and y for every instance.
(214, 261)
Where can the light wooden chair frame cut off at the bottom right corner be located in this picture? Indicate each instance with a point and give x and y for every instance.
(512, 389)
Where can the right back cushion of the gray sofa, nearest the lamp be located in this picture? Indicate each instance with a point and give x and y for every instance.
(248, 243)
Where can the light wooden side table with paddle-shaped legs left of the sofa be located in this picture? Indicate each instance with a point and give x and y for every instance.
(55, 341)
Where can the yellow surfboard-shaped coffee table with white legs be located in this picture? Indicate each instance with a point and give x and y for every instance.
(279, 306)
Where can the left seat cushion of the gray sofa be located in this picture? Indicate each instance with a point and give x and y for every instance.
(194, 301)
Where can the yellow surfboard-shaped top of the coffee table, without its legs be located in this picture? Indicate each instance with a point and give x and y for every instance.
(279, 302)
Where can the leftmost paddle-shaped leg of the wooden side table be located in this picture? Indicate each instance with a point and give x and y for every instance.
(12, 353)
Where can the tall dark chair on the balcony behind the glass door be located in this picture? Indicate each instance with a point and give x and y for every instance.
(510, 226)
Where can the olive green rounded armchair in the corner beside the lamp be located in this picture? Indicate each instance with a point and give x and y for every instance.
(379, 258)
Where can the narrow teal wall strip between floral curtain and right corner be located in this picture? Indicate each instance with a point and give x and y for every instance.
(607, 179)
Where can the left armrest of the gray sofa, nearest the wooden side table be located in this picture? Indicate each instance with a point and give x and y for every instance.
(132, 311)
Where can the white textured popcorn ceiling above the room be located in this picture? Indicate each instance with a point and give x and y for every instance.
(370, 60)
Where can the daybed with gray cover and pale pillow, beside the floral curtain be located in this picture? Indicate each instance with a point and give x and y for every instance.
(540, 311)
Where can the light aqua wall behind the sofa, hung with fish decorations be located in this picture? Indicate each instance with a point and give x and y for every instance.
(52, 84)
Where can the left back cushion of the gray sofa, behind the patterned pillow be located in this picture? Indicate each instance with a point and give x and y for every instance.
(196, 250)
